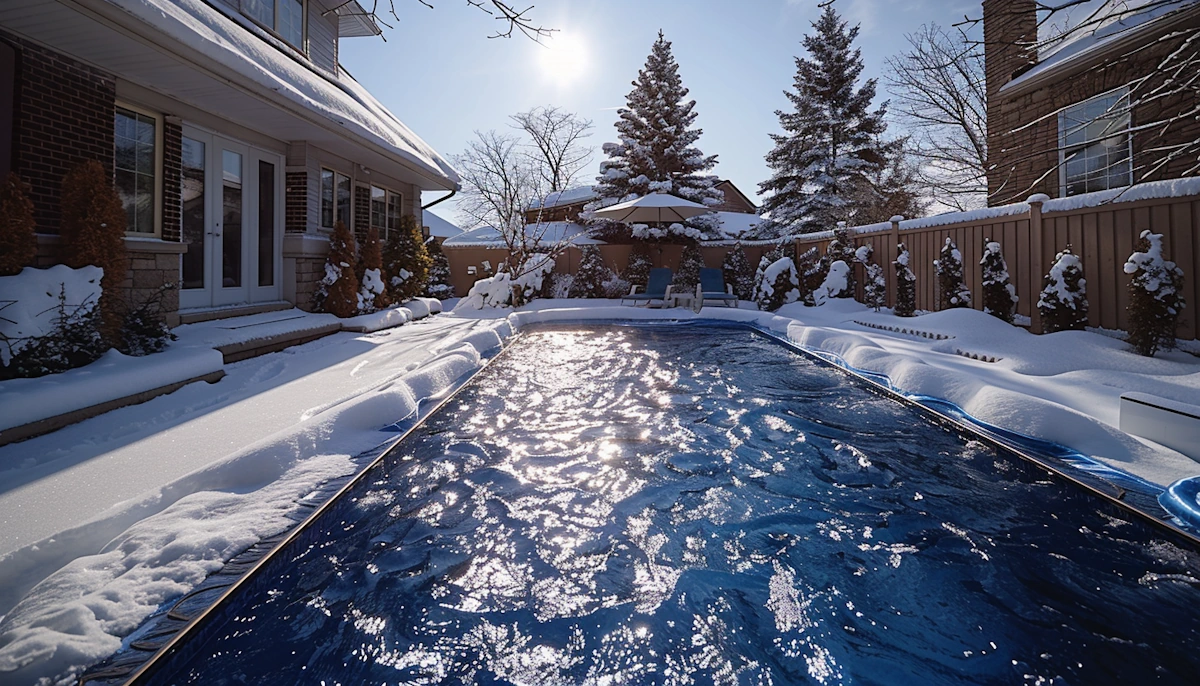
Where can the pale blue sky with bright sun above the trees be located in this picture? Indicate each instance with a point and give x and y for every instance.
(441, 74)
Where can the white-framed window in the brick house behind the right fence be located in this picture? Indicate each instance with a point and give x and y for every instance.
(1094, 140)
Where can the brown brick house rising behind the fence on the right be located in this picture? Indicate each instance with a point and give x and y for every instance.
(1090, 112)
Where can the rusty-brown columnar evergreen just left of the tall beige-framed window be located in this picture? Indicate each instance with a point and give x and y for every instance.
(94, 234)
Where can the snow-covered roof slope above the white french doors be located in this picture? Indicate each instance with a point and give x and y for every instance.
(249, 53)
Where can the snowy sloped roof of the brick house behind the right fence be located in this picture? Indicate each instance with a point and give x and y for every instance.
(1127, 21)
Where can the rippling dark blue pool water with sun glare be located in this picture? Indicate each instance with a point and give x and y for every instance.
(662, 507)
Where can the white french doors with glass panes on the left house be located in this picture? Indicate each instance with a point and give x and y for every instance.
(232, 222)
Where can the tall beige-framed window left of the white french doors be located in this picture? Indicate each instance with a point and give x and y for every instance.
(136, 169)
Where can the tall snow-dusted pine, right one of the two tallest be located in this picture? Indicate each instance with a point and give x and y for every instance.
(832, 141)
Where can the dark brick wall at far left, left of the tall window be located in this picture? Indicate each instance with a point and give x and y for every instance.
(64, 115)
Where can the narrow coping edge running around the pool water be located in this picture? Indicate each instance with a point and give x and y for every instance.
(874, 382)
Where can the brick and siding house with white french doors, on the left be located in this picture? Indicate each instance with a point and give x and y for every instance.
(235, 137)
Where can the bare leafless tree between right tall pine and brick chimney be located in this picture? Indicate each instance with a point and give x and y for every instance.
(939, 94)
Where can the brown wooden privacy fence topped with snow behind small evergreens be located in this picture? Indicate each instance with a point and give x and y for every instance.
(1030, 236)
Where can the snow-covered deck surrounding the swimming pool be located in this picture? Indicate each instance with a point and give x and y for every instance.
(112, 517)
